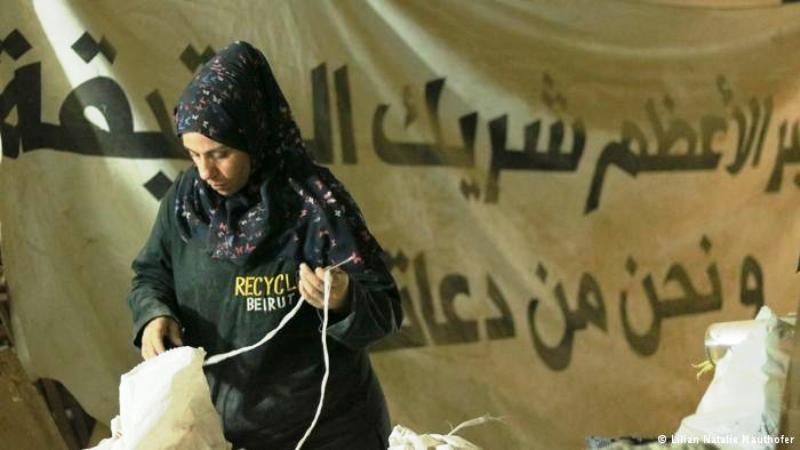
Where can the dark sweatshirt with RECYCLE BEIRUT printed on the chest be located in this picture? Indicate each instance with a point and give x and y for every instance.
(267, 397)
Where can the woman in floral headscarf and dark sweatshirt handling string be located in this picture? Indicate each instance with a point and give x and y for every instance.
(240, 237)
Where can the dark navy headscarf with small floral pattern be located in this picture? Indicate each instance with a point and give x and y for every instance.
(235, 100)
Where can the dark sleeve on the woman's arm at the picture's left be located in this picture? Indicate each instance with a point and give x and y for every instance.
(152, 288)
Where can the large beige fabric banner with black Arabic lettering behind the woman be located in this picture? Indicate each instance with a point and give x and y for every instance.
(569, 193)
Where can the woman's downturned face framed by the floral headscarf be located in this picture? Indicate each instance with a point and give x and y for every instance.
(223, 168)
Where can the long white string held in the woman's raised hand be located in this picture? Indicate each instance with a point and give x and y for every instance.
(326, 357)
